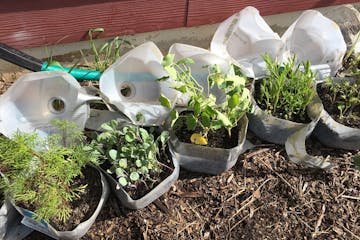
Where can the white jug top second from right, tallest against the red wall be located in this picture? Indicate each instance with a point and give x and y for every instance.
(244, 38)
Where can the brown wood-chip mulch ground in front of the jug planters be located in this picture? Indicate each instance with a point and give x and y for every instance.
(262, 196)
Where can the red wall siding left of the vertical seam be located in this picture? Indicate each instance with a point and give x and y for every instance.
(26, 23)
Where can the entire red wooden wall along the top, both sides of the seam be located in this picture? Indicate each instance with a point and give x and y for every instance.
(26, 23)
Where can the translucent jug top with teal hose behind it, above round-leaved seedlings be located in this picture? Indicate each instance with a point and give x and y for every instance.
(131, 85)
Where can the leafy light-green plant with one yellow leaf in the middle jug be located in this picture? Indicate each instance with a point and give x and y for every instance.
(206, 113)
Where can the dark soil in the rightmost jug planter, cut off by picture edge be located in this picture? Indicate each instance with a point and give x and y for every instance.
(350, 121)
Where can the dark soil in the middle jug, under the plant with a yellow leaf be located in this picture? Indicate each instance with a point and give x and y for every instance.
(216, 139)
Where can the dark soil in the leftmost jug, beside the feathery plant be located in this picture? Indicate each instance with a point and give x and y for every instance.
(83, 207)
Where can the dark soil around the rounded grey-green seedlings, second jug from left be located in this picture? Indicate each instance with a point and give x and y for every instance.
(144, 187)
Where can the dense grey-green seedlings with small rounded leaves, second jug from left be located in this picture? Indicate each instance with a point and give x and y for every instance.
(132, 151)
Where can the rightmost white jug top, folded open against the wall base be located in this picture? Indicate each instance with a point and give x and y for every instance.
(315, 38)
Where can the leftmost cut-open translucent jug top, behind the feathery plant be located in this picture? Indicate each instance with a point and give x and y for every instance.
(36, 99)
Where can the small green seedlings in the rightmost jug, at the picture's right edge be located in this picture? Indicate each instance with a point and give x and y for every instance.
(344, 95)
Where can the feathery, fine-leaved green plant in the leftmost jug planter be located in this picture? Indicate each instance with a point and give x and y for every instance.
(39, 172)
